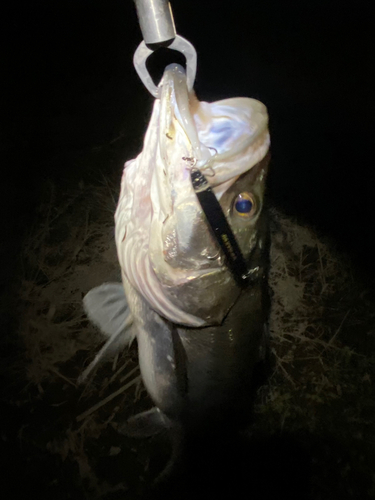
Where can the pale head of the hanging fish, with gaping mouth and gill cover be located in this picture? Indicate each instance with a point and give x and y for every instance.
(165, 247)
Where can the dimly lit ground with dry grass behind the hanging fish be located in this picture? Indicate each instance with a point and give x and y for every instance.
(312, 433)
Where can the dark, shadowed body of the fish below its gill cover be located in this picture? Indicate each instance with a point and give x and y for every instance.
(201, 379)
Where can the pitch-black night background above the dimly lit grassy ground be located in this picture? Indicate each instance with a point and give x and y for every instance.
(69, 86)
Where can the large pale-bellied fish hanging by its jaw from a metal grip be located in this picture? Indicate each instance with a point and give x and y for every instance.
(200, 335)
